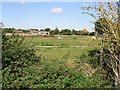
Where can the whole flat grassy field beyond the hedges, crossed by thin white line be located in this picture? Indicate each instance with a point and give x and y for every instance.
(69, 47)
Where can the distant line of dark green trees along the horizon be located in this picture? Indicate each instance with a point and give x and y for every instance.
(56, 31)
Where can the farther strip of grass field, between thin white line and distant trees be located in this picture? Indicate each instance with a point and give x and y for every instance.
(67, 40)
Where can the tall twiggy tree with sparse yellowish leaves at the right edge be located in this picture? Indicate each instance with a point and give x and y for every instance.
(107, 20)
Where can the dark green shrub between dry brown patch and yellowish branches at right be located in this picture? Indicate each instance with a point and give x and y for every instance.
(93, 59)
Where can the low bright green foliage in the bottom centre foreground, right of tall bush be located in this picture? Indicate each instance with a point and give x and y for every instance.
(55, 74)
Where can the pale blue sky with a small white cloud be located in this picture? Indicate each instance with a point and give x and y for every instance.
(40, 15)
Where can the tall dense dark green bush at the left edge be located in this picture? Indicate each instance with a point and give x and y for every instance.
(17, 58)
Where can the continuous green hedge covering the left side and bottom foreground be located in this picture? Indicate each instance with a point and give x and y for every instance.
(23, 69)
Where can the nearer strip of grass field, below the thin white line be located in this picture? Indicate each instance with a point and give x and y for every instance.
(52, 53)
